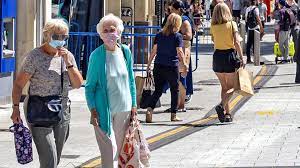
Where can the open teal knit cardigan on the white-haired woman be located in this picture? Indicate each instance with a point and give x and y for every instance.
(96, 85)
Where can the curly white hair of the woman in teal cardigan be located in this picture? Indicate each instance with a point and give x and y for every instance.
(110, 18)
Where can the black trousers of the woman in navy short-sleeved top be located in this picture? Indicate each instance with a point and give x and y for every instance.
(163, 74)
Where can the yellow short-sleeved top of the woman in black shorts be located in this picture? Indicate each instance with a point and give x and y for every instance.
(223, 35)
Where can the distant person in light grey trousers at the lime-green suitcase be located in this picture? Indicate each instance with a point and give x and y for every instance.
(284, 30)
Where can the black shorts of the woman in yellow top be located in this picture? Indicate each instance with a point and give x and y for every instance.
(224, 61)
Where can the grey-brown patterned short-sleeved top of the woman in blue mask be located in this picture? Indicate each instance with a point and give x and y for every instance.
(46, 73)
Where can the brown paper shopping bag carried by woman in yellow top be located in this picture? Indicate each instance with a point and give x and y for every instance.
(243, 84)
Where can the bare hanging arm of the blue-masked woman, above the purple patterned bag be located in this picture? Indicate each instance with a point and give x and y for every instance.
(19, 84)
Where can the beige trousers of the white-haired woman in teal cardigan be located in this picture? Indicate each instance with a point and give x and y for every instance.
(110, 147)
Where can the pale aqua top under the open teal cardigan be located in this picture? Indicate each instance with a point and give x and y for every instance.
(117, 82)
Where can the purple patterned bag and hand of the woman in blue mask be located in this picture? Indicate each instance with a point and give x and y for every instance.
(23, 143)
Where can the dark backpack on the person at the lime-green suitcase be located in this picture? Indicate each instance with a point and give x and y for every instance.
(288, 19)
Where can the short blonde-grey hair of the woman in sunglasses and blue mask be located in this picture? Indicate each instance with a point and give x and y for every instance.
(52, 26)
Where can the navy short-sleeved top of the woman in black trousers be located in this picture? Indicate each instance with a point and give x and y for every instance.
(166, 49)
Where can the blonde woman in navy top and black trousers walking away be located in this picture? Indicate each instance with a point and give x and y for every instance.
(167, 51)
